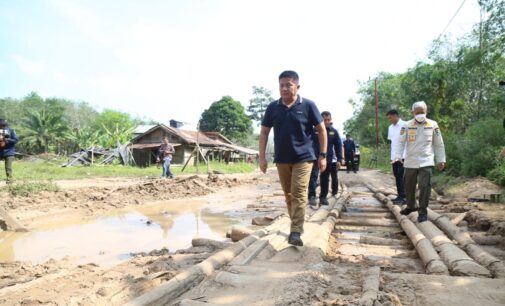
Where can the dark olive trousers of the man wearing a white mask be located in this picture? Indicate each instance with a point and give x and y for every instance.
(412, 176)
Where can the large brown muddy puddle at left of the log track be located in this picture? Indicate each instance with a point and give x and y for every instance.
(111, 238)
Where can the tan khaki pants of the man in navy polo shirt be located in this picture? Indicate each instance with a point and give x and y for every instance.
(295, 182)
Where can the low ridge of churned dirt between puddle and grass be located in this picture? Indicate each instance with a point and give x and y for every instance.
(92, 200)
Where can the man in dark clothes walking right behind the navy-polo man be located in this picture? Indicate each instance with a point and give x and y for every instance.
(333, 160)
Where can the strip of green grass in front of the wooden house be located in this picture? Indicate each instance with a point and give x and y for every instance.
(50, 169)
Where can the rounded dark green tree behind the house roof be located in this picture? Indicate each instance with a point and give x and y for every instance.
(227, 117)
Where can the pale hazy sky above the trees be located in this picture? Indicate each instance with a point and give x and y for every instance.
(172, 59)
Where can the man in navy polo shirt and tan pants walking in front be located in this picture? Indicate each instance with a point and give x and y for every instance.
(293, 119)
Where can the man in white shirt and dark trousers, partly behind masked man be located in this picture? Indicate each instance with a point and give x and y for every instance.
(393, 135)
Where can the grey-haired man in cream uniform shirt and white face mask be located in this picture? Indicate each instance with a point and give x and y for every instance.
(422, 142)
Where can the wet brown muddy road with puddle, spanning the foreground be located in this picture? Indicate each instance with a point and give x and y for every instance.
(111, 243)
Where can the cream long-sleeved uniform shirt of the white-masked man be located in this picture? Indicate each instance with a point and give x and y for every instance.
(422, 143)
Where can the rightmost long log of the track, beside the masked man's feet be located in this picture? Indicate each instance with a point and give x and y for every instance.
(489, 261)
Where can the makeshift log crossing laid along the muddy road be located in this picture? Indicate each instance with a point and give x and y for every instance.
(348, 246)
